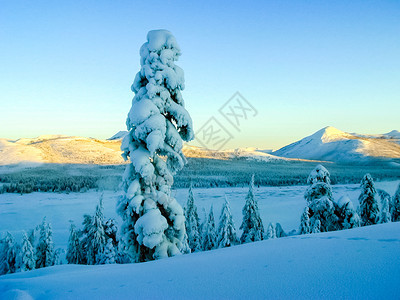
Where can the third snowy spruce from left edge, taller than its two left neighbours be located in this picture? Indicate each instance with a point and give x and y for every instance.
(45, 247)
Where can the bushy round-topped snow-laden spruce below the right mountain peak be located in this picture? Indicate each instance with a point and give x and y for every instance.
(320, 201)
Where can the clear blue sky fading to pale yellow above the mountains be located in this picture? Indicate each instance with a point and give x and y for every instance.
(66, 66)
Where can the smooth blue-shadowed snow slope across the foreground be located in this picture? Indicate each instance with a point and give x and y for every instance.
(361, 263)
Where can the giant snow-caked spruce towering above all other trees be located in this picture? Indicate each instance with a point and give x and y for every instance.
(154, 224)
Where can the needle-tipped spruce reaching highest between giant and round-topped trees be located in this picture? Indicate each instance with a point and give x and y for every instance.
(253, 228)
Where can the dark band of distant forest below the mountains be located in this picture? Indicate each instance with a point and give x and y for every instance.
(201, 172)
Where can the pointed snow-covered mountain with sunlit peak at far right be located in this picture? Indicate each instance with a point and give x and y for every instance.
(331, 144)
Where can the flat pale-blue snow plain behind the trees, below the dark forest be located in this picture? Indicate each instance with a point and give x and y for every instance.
(277, 204)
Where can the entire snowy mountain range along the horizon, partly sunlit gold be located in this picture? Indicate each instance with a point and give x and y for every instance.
(327, 144)
